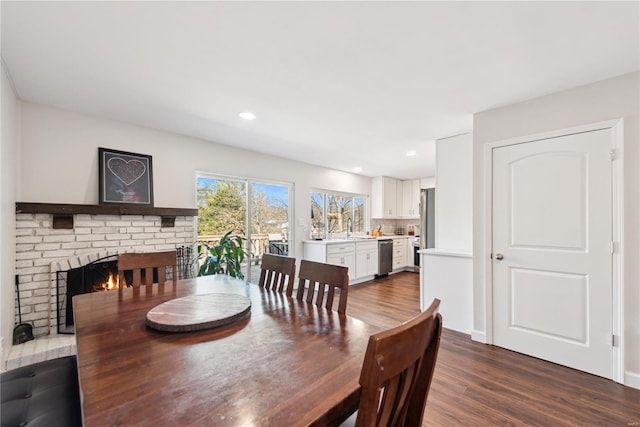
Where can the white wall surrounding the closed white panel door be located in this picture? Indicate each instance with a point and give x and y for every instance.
(606, 100)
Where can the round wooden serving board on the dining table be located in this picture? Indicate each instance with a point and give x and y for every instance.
(197, 312)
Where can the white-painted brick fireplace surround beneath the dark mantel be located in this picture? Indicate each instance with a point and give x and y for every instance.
(42, 249)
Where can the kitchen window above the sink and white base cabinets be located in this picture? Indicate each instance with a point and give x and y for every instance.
(335, 213)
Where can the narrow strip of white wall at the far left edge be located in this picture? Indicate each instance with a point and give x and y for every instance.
(8, 183)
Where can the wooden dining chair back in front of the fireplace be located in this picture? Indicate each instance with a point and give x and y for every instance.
(143, 265)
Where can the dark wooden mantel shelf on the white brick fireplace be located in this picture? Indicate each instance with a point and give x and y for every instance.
(63, 213)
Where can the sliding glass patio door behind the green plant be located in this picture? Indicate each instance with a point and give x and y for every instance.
(257, 210)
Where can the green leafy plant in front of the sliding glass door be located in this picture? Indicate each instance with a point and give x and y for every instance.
(225, 257)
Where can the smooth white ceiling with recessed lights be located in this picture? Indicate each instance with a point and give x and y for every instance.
(336, 84)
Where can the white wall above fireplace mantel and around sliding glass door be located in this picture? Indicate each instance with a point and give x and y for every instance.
(59, 159)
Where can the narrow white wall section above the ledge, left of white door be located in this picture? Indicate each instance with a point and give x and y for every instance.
(454, 193)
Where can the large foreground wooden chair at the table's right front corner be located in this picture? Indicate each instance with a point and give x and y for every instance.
(397, 371)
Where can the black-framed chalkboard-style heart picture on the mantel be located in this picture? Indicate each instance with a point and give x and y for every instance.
(125, 179)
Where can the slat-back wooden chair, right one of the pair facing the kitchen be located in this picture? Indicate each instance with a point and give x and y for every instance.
(320, 282)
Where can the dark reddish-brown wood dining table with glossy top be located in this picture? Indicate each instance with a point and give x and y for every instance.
(288, 363)
